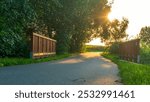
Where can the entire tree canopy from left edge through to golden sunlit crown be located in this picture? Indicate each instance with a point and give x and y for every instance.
(71, 23)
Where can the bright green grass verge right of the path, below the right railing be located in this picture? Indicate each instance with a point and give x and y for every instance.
(131, 73)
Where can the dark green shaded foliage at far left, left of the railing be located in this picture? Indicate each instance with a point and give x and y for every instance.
(16, 17)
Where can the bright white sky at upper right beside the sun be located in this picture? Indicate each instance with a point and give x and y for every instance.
(136, 11)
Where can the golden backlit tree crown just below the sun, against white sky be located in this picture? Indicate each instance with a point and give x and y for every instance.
(115, 31)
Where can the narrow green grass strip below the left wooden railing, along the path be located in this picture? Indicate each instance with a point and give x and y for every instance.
(20, 61)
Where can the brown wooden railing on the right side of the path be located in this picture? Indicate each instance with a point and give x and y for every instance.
(130, 50)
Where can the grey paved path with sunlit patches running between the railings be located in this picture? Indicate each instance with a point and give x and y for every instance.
(85, 69)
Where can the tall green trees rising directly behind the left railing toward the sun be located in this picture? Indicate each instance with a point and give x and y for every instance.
(70, 20)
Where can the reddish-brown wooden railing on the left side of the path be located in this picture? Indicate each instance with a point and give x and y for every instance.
(42, 46)
